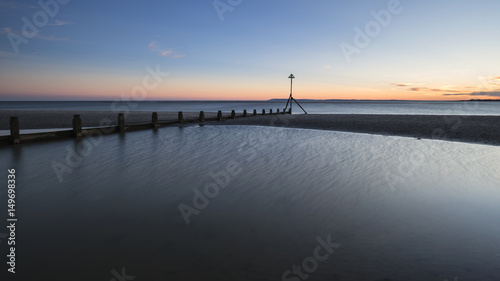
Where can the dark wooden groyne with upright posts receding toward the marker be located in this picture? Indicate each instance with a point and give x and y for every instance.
(121, 126)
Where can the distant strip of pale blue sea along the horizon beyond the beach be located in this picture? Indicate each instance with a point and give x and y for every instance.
(337, 107)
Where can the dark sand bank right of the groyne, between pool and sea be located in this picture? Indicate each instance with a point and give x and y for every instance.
(474, 129)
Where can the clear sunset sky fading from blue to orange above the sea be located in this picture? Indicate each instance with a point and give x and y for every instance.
(246, 49)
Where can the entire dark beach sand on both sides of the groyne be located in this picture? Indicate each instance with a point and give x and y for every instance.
(474, 129)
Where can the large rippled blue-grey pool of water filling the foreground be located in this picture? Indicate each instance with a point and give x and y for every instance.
(268, 197)
